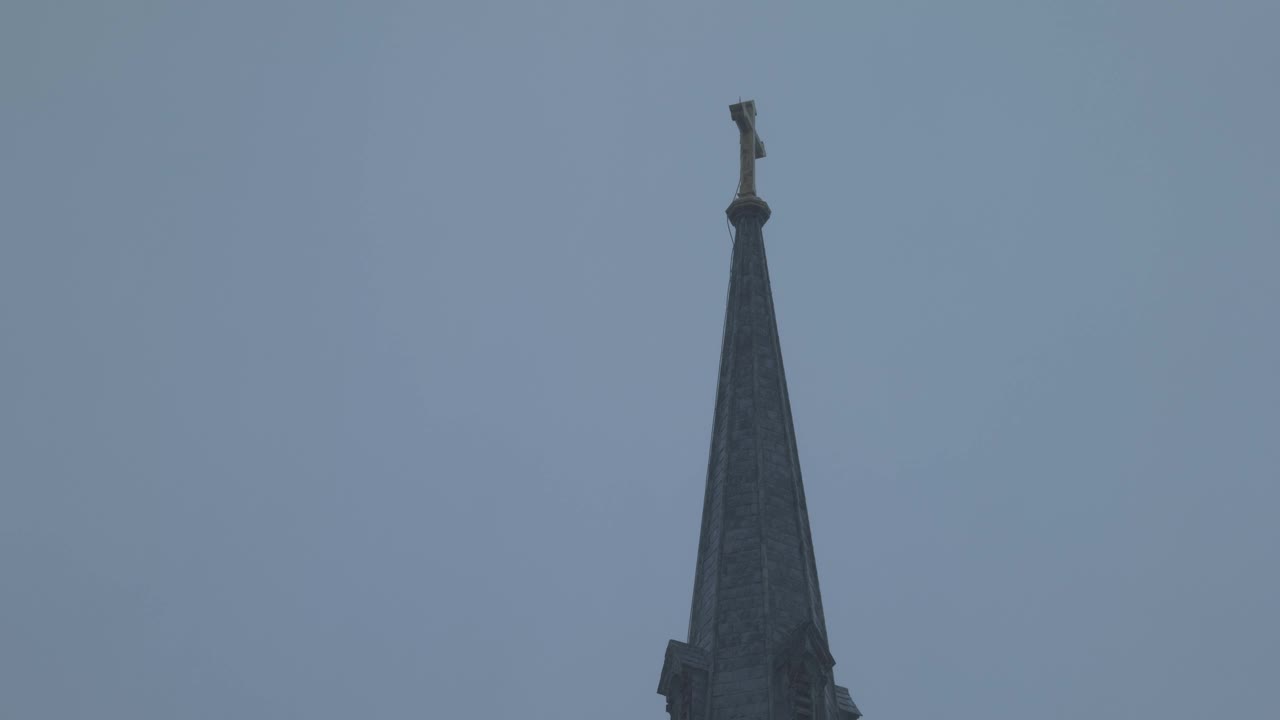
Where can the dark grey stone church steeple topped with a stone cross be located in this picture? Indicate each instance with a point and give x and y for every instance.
(757, 646)
